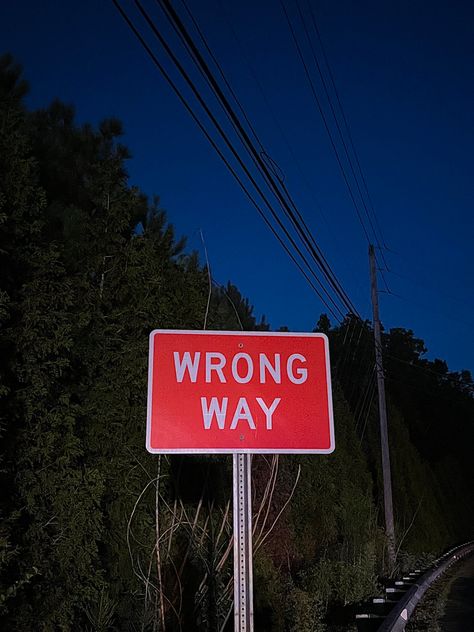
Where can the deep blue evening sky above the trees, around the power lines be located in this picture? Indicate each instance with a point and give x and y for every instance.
(404, 70)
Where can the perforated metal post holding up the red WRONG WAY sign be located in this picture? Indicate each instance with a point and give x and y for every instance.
(243, 574)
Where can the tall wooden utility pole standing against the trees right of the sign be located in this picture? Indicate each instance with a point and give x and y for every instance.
(387, 479)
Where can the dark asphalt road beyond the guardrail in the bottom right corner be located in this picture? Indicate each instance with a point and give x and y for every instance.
(459, 609)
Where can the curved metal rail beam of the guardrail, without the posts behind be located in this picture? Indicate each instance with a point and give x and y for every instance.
(398, 617)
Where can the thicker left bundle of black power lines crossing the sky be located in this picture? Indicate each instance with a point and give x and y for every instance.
(246, 159)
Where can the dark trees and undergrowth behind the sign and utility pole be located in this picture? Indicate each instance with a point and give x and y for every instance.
(95, 533)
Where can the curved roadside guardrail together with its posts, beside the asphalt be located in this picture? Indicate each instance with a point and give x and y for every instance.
(391, 612)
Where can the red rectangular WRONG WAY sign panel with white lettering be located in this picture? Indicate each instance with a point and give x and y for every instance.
(229, 391)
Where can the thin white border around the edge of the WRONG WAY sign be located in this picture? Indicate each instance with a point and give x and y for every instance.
(213, 332)
